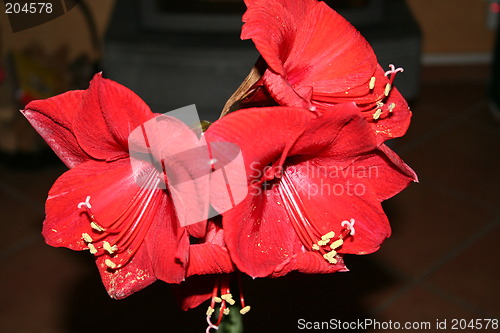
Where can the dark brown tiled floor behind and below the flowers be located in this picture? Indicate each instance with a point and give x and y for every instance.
(442, 262)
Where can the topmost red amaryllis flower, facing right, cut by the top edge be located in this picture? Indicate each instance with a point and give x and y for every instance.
(315, 58)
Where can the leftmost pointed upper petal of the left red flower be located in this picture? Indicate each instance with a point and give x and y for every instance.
(53, 119)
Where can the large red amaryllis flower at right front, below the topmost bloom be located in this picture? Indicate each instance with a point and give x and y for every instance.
(316, 184)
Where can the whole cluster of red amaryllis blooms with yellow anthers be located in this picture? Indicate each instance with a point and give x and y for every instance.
(313, 115)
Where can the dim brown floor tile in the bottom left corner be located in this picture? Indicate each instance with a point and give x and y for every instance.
(34, 283)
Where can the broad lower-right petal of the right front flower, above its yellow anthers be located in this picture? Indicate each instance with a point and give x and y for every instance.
(332, 194)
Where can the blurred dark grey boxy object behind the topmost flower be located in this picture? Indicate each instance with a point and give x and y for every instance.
(172, 58)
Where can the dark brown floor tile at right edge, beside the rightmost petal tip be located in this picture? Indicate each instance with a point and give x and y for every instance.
(463, 159)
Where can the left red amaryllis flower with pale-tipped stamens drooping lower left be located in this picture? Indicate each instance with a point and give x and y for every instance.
(97, 205)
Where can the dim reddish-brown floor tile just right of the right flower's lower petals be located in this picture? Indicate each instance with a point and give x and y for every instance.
(427, 224)
